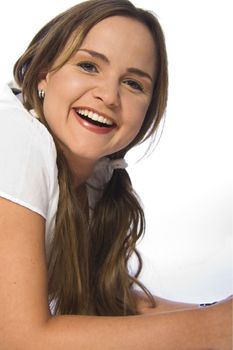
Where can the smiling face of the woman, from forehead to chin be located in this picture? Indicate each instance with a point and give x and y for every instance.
(96, 103)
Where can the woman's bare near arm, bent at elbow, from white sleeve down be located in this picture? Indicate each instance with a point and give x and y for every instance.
(26, 323)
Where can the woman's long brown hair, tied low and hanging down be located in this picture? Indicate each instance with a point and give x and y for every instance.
(88, 264)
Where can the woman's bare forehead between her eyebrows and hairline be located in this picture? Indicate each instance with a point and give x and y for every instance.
(123, 39)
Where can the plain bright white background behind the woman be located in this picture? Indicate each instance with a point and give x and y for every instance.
(186, 184)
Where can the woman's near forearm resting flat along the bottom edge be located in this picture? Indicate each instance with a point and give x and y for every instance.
(179, 330)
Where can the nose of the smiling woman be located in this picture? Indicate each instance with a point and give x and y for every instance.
(108, 93)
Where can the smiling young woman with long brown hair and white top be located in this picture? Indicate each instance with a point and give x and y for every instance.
(90, 86)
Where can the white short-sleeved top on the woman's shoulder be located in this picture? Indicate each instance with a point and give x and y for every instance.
(28, 169)
